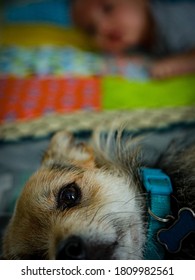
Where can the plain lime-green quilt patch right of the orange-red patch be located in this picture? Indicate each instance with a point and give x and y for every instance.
(119, 93)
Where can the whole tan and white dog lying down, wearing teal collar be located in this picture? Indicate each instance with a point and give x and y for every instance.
(91, 201)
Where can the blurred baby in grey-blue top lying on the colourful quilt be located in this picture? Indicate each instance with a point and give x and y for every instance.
(164, 29)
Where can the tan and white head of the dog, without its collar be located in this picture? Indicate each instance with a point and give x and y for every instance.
(81, 204)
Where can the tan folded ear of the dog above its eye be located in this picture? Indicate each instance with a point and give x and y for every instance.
(63, 148)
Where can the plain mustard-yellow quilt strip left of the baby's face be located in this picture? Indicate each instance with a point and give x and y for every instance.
(39, 34)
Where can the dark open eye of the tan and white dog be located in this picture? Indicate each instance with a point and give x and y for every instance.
(68, 196)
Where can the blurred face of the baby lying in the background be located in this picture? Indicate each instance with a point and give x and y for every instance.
(114, 25)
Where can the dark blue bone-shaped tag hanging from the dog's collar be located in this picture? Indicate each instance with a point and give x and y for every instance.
(183, 226)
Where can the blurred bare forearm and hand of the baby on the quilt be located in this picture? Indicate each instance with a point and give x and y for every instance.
(173, 66)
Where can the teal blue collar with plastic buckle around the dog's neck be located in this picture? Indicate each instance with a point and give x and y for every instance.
(159, 188)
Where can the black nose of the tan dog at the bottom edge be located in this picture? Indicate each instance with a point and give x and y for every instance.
(72, 248)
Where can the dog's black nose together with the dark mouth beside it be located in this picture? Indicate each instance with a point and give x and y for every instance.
(74, 248)
